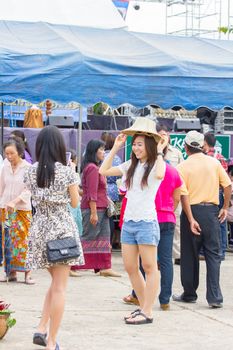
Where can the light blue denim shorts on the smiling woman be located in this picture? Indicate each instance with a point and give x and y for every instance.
(140, 232)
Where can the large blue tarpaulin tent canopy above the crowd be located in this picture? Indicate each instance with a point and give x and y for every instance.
(69, 63)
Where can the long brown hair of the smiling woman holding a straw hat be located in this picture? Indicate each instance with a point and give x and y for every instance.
(151, 150)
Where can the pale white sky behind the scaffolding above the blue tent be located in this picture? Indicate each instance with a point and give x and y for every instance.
(151, 17)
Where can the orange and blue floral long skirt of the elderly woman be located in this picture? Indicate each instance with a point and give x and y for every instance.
(14, 239)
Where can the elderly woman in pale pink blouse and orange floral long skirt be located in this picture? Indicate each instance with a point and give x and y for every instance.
(15, 209)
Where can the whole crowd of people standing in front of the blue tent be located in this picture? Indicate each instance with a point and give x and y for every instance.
(185, 216)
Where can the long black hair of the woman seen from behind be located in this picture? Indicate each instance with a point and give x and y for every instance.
(50, 148)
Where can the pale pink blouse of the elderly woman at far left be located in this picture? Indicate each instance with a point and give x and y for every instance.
(12, 186)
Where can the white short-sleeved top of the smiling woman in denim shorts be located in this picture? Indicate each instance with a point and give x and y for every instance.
(140, 201)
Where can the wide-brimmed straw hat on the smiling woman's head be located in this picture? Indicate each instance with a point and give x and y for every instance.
(143, 126)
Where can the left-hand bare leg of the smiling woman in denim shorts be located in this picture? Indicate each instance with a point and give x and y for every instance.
(130, 254)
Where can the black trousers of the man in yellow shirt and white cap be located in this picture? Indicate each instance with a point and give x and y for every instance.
(207, 217)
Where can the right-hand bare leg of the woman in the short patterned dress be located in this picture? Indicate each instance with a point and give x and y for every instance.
(60, 274)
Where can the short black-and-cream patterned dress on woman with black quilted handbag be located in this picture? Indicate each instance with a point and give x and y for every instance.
(52, 219)
